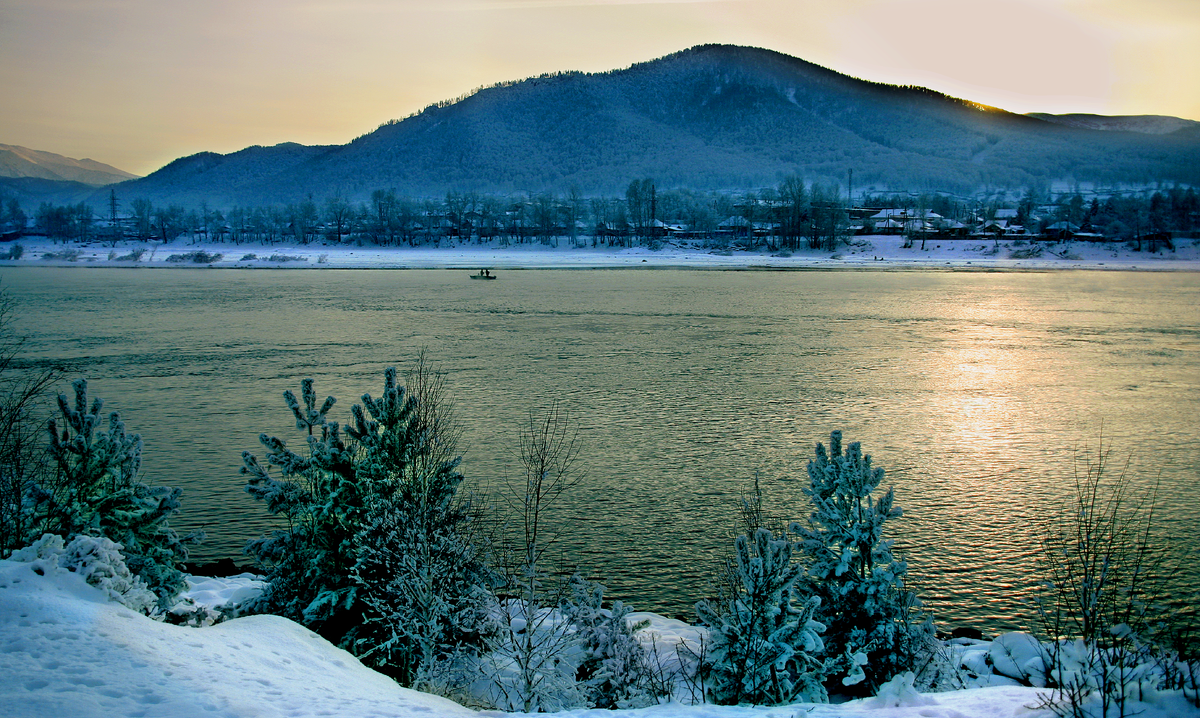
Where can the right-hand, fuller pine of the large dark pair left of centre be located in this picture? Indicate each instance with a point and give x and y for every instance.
(429, 593)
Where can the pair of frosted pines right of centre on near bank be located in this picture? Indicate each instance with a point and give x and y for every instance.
(825, 612)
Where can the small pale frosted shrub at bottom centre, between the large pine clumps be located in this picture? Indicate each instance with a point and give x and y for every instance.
(614, 671)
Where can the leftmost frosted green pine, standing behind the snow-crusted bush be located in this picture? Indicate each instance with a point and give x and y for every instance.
(95, 492)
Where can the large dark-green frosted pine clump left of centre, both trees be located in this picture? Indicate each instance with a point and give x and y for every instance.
(376, 555)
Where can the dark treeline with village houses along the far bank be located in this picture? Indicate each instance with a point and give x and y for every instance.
(793, 216)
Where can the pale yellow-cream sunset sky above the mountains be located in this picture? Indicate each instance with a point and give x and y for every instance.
(139, 83)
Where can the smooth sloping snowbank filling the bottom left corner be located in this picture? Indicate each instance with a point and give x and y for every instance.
(67, 651)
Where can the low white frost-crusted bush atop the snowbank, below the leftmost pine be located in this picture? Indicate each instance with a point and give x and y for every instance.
(98, 560)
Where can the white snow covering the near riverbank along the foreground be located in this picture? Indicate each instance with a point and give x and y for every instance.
(67, 651)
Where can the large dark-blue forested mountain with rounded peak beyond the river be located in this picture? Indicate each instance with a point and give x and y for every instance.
(709, 118)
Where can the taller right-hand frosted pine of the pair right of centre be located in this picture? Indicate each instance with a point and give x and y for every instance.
(865, 605)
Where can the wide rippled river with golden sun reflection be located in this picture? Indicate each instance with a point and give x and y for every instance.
(971, 390)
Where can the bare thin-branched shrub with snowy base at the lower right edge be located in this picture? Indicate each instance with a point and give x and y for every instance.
(1105, 605)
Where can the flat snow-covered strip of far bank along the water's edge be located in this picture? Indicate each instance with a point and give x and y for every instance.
(865, 253)
